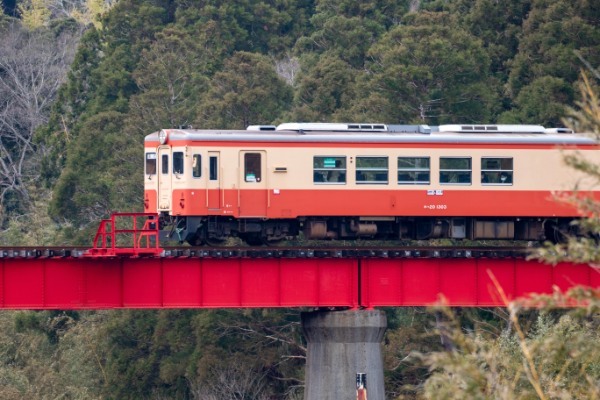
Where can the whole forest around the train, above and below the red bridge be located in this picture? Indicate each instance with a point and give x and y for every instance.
(83, 81)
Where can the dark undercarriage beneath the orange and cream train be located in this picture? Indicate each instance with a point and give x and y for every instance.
(254, 231)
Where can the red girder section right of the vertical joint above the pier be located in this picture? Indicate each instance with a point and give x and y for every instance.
(465, 281)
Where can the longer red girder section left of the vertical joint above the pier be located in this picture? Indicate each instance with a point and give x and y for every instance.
(96, 283)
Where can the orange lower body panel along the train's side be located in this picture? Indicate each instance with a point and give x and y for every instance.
(296, 203)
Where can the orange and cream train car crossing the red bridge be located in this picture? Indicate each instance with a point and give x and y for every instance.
(348, 181)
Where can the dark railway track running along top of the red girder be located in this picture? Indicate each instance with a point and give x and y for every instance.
(285, 252)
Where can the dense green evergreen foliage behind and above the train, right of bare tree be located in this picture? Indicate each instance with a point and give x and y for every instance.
(165, 63)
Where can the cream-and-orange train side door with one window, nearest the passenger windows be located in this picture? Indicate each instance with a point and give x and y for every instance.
(253, 184)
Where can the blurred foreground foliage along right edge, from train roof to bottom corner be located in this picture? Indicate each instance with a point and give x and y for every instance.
(558, 357)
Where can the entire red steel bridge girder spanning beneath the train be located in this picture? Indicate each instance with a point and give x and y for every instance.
(163, 282)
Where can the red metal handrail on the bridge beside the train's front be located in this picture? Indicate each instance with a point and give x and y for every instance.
(111, 240)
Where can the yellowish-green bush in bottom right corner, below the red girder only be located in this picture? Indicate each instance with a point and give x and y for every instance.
(556, 358)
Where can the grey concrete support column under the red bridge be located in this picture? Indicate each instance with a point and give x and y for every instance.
(342, 344)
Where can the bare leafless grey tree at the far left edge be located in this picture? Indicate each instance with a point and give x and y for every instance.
(33, 65)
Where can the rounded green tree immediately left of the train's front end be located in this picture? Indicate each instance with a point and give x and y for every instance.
(102, 173)
